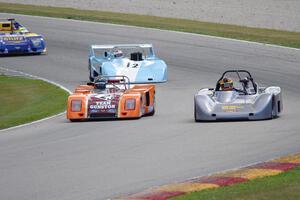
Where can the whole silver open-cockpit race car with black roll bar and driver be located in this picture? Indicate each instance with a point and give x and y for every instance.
(237, 97)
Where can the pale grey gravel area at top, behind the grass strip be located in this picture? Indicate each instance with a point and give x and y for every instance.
(274, 14)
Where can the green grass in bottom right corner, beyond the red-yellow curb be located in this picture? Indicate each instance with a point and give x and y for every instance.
(285, 186)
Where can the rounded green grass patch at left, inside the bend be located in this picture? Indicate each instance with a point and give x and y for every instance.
(25, 100)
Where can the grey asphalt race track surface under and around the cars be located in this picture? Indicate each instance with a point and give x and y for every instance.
(56, 159)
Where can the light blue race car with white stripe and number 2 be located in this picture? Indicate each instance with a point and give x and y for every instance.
(136, 61)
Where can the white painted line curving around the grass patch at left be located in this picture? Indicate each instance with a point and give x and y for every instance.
(39, 78)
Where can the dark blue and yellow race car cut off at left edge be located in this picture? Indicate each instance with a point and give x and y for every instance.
(16, 39)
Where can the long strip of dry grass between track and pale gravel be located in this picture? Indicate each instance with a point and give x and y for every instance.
(284, 38)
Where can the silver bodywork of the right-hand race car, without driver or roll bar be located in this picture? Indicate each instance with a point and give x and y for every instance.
(260, 103)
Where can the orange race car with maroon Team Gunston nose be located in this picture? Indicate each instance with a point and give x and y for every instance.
(111, 97)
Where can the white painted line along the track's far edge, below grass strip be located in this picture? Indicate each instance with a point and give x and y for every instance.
(185, 33)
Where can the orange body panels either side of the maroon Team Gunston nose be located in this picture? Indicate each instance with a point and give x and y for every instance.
(143, 97)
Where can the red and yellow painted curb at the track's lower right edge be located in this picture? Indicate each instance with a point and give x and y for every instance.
(269, 168)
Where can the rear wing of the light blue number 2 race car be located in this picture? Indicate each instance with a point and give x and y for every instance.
(106, 51)
